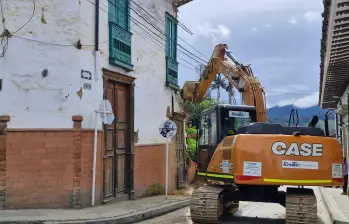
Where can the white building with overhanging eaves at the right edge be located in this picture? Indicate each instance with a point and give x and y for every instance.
(334, 77)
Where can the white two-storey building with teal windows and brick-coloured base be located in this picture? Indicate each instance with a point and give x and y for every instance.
(50, 71)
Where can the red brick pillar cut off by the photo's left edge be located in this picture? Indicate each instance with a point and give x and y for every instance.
(3, 126)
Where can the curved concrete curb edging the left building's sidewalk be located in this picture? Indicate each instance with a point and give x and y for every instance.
(132, 217)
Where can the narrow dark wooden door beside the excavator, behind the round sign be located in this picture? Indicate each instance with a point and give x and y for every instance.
(181, 174)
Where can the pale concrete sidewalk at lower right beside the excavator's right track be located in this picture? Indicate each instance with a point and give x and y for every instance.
(337, 204)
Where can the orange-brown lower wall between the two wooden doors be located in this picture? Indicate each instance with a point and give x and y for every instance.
(150, 167)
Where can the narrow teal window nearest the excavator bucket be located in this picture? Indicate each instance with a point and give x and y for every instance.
(171, 52)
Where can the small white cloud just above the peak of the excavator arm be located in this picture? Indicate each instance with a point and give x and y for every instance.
(215, 32)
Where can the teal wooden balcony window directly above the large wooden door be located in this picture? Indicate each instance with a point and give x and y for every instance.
(119, 34)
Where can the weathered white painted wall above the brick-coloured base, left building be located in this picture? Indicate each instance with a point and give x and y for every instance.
(34, 101)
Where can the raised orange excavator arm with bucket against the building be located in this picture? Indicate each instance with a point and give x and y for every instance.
(238, 75)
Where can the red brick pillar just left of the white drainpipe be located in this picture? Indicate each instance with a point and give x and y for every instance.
(76, 161)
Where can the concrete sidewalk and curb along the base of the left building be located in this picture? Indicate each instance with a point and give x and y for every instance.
(120, 212)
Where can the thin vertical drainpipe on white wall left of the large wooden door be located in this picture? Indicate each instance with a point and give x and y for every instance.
(95, 113)
